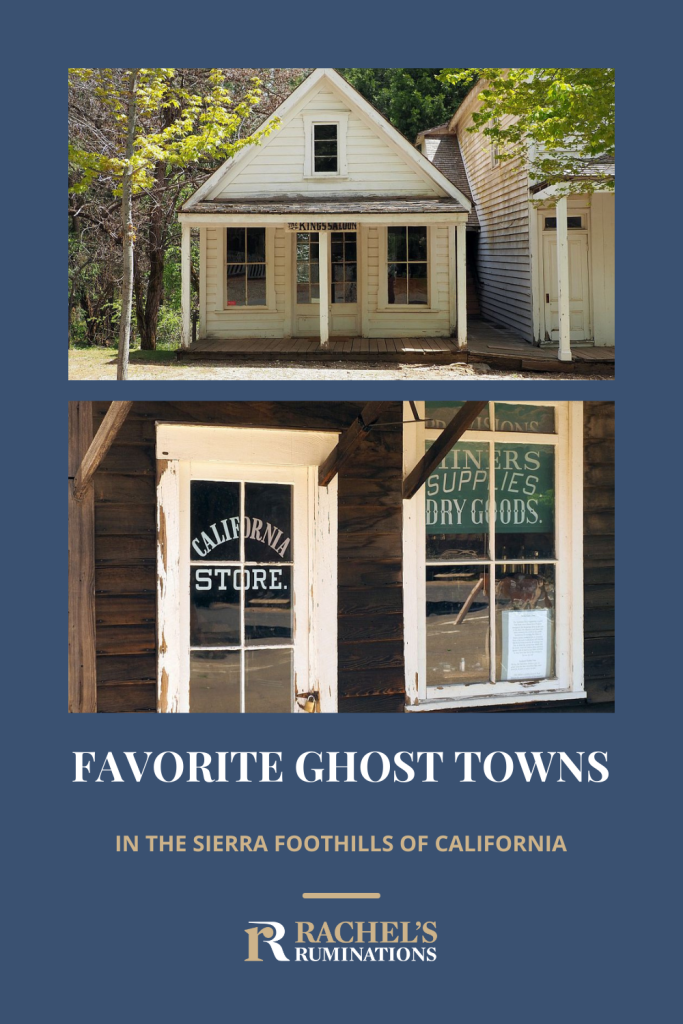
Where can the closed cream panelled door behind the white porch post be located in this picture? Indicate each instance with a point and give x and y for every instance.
(580, 312)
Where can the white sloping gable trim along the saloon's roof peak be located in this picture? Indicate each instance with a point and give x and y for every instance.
(288, 110)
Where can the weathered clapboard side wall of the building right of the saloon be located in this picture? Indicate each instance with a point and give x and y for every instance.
(501, 196)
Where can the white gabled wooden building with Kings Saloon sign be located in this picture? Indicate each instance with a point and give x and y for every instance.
(334, 227)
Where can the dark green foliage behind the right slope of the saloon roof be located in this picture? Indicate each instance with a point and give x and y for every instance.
(411, 99)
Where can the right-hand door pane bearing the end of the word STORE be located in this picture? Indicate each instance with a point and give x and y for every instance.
(268, 606)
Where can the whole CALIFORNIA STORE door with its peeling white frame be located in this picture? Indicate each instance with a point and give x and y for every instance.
(247, 572)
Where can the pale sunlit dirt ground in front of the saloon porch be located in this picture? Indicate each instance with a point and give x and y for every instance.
(100, 365)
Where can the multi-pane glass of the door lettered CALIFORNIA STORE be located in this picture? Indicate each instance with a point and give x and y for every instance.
(241, 583)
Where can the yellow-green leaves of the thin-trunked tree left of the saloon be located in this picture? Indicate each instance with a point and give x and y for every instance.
(175, 125)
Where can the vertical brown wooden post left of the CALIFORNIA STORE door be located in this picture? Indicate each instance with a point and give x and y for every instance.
(82, 665)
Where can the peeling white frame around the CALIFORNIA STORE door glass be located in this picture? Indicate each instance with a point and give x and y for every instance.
(187, 453)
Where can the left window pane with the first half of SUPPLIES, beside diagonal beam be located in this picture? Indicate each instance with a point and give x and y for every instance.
(457, 504)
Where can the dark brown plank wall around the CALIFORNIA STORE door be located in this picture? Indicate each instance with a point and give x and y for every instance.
(371, 654)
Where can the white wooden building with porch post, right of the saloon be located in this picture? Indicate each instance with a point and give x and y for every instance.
(545, 266)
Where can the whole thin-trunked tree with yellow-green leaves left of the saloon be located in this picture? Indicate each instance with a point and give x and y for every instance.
(153, 120)
